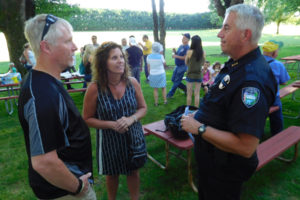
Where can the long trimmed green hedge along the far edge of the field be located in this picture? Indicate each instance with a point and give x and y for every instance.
(104, 19)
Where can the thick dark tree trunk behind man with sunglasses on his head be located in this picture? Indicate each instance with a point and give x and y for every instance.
(12, 18)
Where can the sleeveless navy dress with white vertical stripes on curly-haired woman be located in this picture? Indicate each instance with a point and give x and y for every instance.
(112, 147)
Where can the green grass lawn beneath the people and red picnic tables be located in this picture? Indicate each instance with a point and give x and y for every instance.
(275, 181)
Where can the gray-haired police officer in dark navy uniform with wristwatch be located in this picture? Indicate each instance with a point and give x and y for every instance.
(231, 118)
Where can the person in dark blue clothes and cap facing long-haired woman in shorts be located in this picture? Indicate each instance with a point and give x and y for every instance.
(181, 67)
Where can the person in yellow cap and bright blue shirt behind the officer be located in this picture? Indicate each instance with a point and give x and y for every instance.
(270, 52)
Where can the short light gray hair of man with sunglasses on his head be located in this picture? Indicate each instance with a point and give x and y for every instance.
(34, 28)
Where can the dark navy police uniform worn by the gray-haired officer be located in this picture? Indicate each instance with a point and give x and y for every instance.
(237, 102)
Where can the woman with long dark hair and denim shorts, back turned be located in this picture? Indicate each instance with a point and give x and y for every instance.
(194, 59)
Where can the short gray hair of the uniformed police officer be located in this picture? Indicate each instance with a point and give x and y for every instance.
(248, 17)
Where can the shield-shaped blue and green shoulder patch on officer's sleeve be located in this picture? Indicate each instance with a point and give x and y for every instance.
(250, 96)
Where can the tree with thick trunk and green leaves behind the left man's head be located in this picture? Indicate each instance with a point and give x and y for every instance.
(14, 13)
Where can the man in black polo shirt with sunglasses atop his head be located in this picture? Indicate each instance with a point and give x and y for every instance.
(57, 139)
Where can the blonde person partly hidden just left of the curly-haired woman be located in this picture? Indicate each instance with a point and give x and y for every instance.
(87, 58)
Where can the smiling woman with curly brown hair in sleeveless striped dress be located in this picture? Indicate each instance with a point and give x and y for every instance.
(114, 104)
